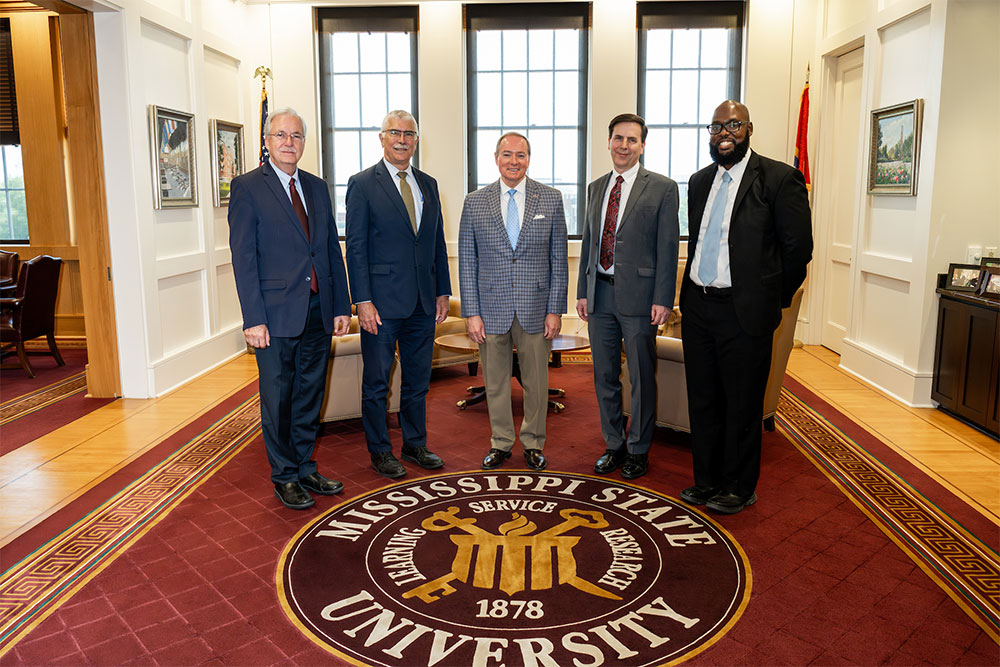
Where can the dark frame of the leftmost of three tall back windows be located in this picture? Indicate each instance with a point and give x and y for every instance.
(397, 18)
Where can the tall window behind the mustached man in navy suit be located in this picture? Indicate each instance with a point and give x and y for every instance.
(368, 67)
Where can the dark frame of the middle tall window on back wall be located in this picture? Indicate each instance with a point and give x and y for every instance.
(528, 16)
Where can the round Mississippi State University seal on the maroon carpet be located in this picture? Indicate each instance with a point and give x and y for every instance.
(515, 568)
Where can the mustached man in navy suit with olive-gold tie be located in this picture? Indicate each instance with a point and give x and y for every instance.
(398, 265)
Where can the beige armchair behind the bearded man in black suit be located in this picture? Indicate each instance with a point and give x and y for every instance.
(671, 386)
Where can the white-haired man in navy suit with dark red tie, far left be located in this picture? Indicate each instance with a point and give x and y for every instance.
(293, 293)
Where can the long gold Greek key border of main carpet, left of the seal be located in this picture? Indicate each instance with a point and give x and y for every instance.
(39, 584)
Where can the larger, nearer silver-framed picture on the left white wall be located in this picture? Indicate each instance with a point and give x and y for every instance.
(175, 179)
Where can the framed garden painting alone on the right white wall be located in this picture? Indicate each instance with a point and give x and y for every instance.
(895, 149)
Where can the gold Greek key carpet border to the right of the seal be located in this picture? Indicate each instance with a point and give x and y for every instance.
(967, 569)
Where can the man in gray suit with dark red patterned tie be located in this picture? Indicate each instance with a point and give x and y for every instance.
(628, 270)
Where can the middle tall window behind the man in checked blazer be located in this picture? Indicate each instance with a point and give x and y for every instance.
(528, 73)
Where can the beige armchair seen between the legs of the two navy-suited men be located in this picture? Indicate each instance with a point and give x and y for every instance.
(343, 378)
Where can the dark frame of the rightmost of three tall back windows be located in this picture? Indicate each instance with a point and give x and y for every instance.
(698, 15)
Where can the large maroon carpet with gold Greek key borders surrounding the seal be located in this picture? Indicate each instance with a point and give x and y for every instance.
(850, 564)
